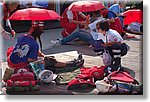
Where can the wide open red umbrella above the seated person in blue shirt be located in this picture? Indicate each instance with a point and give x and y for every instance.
(34, 14)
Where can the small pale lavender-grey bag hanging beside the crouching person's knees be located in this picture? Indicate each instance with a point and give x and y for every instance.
(107, 59)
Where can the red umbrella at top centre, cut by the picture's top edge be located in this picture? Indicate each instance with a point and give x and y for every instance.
(86, 6)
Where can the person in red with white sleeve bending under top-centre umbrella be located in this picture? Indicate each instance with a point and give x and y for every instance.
(71, 20)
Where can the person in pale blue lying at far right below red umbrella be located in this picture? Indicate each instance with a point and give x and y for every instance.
(135, 28)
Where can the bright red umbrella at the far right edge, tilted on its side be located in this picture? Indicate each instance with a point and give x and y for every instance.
(135, 15)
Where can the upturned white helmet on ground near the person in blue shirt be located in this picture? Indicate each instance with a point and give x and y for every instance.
(47, 76)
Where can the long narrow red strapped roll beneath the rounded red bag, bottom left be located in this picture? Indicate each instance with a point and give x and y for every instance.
(20, 83)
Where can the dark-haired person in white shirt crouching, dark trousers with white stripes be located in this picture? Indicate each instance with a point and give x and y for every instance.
(113, 42)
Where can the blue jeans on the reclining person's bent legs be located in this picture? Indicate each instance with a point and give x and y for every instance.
(81, 34)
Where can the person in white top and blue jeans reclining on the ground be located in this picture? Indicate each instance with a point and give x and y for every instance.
(86, 35)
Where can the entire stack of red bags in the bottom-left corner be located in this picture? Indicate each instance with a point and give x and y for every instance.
(21, 81)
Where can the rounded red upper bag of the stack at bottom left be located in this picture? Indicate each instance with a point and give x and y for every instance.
(23, 76)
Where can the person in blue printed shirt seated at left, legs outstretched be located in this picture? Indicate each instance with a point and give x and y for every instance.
(27, 50)
